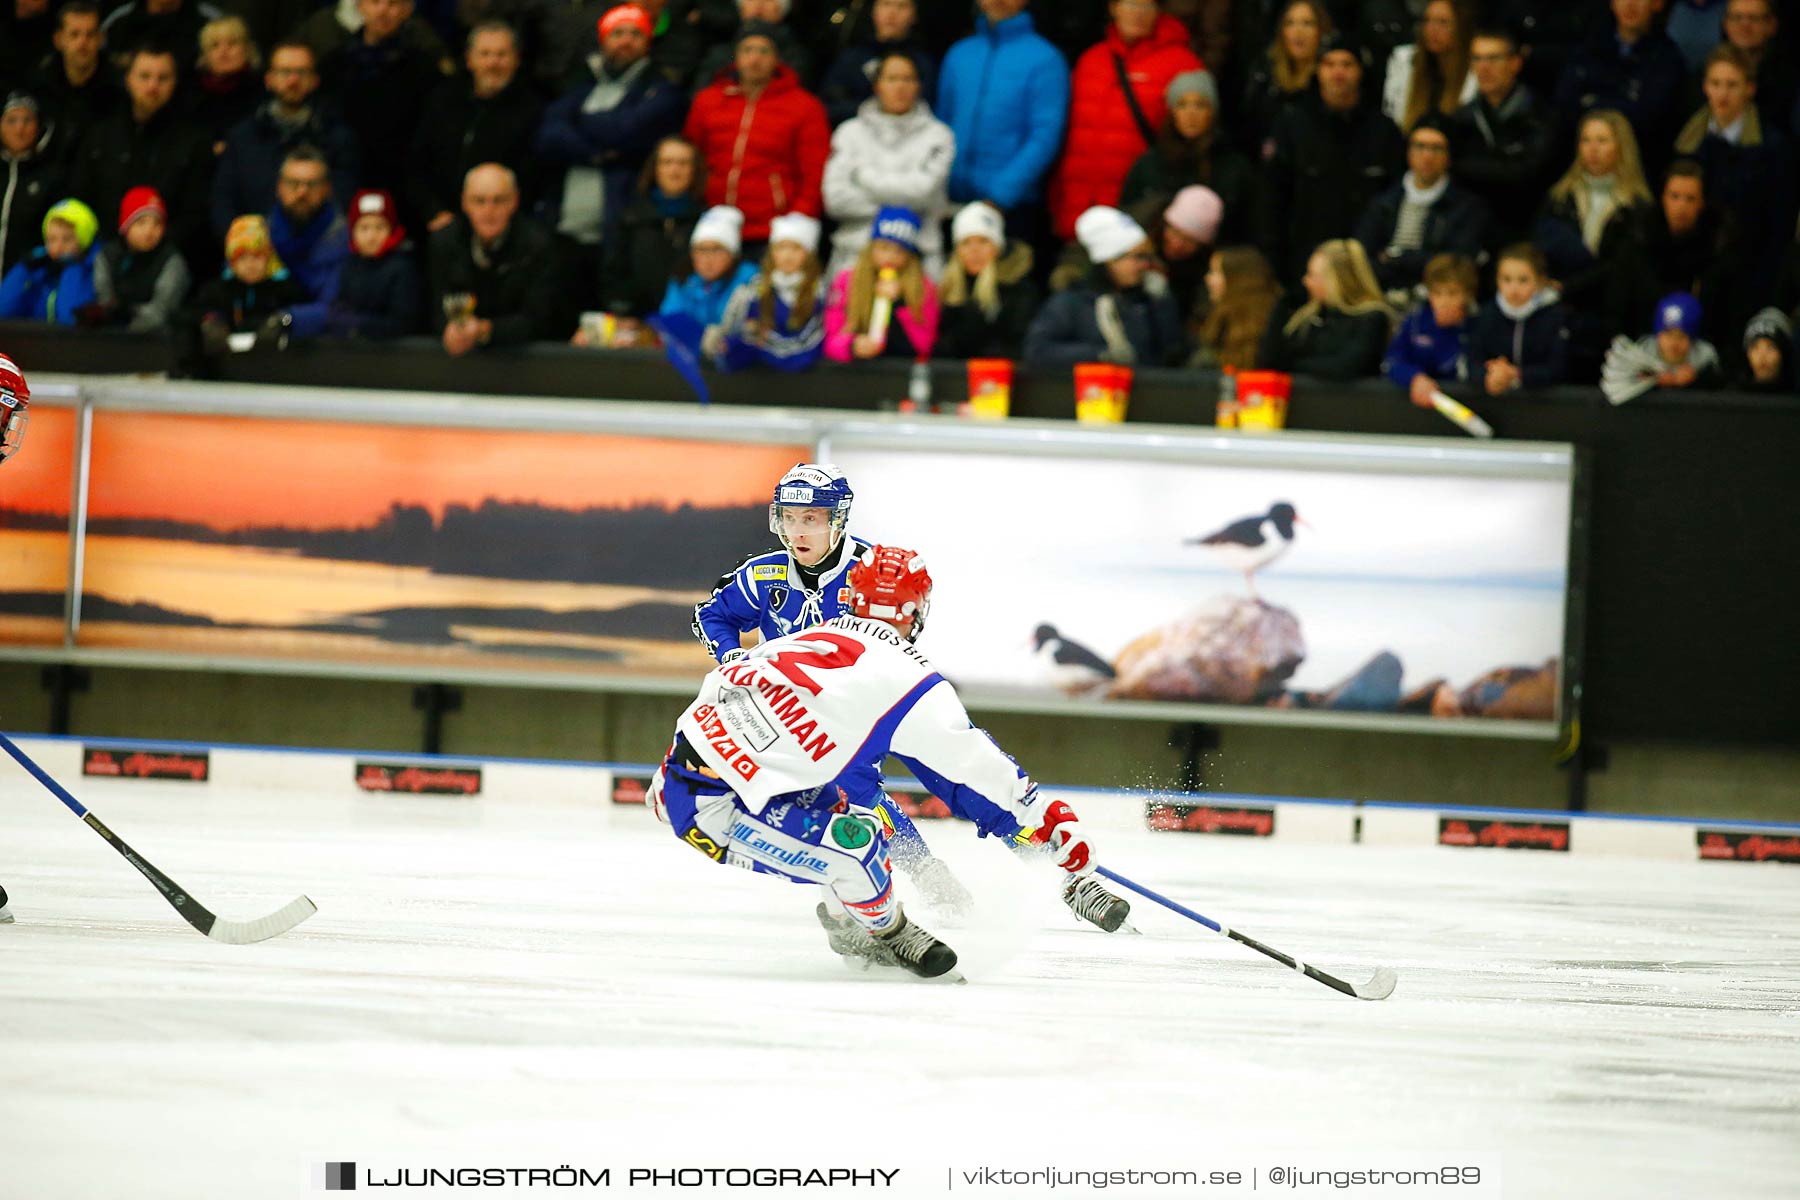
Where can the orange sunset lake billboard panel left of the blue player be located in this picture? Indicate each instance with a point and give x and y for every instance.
(420, 548)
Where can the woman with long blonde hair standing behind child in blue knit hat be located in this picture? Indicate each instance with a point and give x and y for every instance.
(1592, 233)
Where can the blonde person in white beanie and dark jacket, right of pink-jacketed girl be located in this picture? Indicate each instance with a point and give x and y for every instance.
(987, 296)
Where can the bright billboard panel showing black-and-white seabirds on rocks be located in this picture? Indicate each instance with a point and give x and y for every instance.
(1318, 587)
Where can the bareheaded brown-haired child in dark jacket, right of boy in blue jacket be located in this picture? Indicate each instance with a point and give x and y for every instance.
(1522, 339)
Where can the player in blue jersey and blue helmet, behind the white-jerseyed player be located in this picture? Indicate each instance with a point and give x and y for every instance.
(795, 589)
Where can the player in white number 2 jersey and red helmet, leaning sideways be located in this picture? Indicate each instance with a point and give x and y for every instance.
(775, 766)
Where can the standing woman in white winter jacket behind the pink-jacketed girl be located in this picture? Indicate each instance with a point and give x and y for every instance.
(894, 152)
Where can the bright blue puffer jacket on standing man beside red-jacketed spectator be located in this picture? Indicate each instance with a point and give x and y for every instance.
(1005, 94)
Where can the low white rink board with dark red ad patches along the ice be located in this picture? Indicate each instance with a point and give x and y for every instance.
(91, 764)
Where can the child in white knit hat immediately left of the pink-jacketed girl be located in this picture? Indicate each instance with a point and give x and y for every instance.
(778, 318)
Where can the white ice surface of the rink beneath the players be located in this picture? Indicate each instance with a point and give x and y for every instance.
(543, 985)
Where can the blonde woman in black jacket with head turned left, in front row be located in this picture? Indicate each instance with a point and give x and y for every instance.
(1342, 330)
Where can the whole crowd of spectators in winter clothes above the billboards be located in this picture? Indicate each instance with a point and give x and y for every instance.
(1486, 193)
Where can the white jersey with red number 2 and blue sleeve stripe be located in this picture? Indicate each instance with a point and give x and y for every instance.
(802, 710)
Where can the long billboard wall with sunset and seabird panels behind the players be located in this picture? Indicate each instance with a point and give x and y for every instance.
(1336, 580)
